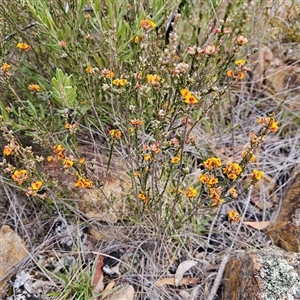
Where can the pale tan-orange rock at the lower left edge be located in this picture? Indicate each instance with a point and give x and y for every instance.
(12, 251)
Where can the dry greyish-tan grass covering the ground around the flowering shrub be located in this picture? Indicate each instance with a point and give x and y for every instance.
(152, 251)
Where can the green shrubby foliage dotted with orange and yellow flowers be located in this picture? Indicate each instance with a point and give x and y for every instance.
(104, 69)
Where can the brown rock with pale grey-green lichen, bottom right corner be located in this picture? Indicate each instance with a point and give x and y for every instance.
(269, 274)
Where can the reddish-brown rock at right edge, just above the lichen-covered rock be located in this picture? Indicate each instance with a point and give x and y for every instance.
(285, 231)
